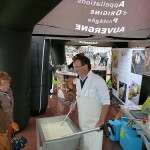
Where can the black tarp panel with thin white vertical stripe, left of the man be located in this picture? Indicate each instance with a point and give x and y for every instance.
(39, 74)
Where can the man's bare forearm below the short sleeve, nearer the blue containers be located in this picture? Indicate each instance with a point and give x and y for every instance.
(103, 116)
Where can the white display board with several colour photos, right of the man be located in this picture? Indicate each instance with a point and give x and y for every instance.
(127, 70)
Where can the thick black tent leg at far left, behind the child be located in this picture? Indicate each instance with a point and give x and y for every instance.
(15, 59)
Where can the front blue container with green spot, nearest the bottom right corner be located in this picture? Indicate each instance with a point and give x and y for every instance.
(129, 139)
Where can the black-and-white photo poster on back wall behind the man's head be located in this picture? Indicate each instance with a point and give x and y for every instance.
(100, 57)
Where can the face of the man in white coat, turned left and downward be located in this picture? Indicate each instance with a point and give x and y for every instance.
(81, 70)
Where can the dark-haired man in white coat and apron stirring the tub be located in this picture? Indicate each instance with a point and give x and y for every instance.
(92, 101)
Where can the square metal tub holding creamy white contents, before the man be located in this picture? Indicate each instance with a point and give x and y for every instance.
(70, 142)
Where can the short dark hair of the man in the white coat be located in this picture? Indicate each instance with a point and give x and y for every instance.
(83, 59)
